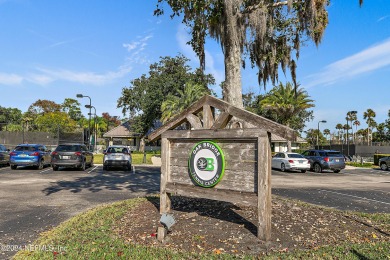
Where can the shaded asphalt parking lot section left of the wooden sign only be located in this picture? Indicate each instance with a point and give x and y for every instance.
(34, 201)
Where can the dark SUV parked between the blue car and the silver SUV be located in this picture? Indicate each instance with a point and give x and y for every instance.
(71, 156)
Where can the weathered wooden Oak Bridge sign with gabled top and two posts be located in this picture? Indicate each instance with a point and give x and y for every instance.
(243, 178)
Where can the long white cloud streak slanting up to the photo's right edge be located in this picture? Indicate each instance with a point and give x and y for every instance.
(368, 60)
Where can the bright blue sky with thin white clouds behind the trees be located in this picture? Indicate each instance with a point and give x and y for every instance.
(56, 49)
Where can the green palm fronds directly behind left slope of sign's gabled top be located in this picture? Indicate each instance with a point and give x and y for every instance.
(174, 105)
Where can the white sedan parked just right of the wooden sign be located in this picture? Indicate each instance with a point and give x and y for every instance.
(290, 161)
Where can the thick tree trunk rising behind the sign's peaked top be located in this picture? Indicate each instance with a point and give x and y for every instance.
(232, 87)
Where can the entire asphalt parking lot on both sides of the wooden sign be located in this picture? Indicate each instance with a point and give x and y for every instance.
(33, 201)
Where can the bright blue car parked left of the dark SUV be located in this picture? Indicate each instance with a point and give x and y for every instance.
(29, 155)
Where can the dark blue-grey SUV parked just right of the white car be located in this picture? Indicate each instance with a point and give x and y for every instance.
(325, 160)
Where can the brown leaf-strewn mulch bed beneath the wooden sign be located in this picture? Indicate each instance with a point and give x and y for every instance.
(220, 227)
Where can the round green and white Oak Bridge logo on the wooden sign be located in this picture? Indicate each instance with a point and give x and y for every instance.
(206, 164)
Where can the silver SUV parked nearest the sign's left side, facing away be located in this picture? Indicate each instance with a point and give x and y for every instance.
(117, 156)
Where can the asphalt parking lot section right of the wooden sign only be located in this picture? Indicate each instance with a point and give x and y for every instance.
(355, 189)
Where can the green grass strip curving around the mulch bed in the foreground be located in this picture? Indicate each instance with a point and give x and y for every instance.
(91, 235)
